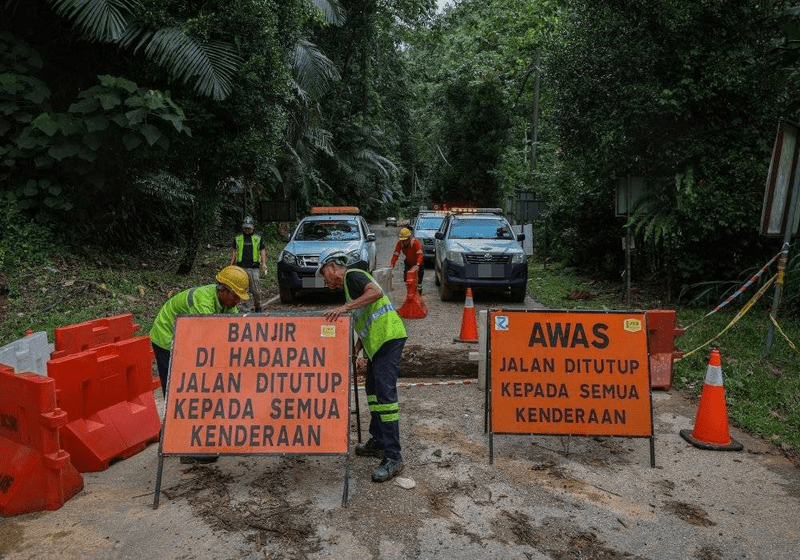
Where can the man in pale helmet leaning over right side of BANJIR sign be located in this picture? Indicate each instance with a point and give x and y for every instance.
(382, 336)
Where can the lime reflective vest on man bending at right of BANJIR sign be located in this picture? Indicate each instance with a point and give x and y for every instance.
(376, 323)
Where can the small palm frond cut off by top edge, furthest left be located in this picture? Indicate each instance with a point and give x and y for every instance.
(100, 20)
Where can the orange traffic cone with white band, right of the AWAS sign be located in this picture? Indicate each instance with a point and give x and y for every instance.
(711, 425)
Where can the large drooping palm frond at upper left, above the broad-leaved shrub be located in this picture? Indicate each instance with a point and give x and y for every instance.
(212, 64)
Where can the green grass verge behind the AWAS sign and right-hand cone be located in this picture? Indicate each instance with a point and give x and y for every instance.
(762, 394)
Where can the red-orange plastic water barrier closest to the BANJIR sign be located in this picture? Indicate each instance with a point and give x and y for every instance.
(107, 393)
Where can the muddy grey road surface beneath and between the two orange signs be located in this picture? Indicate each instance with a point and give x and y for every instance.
(542, 497)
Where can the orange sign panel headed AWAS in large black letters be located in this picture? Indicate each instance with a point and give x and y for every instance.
(569, 373)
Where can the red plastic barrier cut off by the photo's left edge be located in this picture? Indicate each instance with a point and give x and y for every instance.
(35, 473)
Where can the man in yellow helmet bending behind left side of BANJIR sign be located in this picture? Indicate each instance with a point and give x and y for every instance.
(222, 297)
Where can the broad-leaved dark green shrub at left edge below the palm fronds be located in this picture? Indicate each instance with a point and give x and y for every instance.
(47, 152)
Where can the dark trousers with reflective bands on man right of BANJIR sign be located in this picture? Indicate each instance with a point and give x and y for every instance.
(381, 387)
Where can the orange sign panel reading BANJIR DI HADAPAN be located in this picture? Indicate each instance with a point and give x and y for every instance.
(258, 385)
